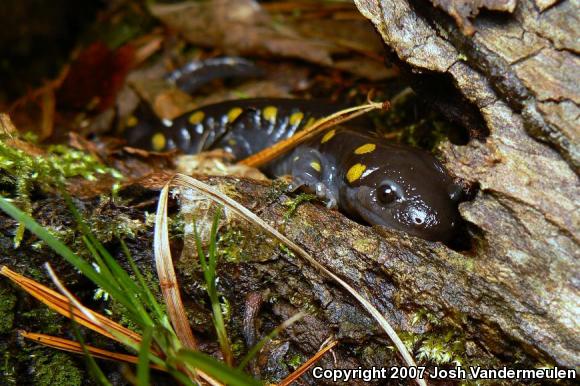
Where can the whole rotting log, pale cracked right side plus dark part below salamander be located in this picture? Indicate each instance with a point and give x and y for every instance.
(512, 298)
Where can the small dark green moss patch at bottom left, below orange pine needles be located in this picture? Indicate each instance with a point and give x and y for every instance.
(55, 368)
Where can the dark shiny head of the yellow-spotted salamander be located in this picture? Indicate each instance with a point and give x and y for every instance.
(405, 189)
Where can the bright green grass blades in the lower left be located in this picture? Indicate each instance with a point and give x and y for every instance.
(140, 305)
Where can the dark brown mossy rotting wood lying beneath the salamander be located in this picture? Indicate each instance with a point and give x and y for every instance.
(263, 284)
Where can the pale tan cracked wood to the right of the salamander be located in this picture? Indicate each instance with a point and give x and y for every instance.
(519, 72)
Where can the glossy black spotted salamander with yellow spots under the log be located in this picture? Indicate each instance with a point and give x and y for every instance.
(363, 175)
